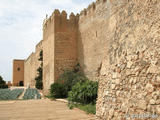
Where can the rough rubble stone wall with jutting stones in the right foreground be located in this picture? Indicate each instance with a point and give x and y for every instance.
(133, 62)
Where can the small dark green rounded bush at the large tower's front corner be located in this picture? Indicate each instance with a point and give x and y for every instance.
(58, 90)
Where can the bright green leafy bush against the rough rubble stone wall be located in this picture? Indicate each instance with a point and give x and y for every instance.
(84, 92)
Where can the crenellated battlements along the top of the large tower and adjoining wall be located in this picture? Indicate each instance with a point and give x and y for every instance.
(90, 10)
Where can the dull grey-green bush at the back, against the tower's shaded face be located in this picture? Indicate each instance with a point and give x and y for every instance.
(70, 77)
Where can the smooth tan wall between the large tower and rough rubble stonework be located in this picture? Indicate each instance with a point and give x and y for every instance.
(94, 34)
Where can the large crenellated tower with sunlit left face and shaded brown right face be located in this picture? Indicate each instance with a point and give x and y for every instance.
(60, 46)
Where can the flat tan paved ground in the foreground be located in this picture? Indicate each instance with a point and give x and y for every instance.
(39, 110)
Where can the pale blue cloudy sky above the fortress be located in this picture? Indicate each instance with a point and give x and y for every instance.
(21, 27)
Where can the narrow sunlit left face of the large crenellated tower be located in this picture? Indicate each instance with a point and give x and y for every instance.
(48, 52)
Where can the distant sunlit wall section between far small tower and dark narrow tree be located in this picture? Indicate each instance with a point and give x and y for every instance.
(30, 71)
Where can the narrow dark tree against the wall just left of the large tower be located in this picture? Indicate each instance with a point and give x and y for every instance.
(39, 78)
